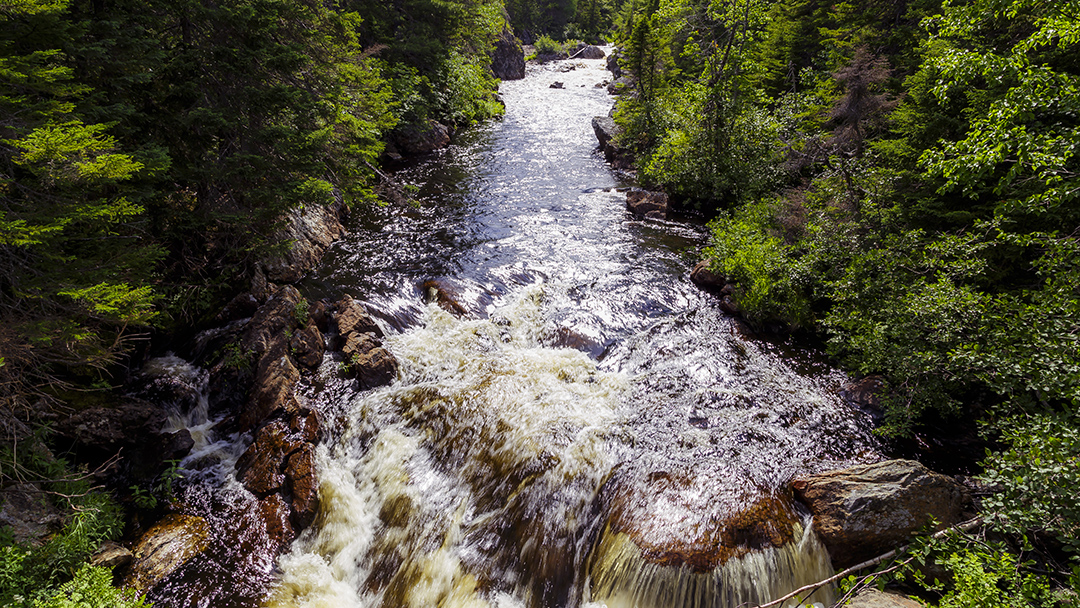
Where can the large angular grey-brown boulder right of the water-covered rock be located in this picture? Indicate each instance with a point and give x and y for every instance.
(869, 510)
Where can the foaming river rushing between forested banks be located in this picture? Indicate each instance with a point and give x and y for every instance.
(593, 433)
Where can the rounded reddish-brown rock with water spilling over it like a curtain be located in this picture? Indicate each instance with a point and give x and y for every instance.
(684, 539)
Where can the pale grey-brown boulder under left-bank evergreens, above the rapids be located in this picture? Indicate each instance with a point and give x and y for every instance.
(310, 231)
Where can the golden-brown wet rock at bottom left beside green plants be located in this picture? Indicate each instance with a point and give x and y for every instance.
(165, 548)
